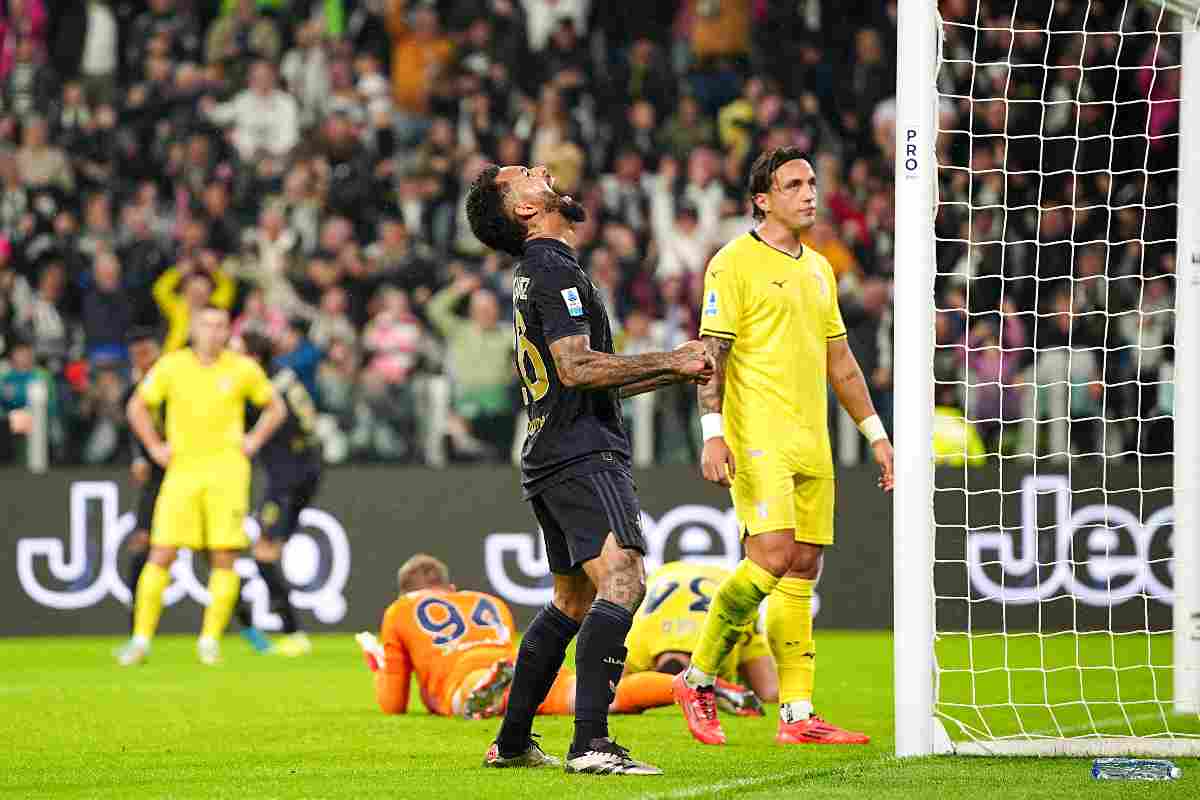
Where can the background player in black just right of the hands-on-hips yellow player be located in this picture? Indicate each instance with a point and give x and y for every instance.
(292, 461)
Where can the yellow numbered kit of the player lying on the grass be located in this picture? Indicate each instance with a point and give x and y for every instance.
(673, 615)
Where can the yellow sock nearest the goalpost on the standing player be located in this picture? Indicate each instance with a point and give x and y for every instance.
(790, 635)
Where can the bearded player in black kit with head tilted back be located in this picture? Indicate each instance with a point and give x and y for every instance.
(575, 468)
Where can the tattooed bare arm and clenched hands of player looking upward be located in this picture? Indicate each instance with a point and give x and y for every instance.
(581, 368)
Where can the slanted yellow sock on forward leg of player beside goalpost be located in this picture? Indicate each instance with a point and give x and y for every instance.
(735, 606)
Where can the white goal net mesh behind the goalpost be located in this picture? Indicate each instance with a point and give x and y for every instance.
(1058, 165)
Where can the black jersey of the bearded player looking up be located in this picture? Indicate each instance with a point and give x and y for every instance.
(572, 431)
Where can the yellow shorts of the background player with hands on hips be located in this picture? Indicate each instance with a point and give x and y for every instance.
(203, 508)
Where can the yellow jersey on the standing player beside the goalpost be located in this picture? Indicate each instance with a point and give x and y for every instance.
(781, 311)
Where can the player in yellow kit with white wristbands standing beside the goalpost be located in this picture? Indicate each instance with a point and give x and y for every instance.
(772, 324)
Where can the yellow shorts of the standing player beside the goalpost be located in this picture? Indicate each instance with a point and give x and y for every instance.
(770, 497)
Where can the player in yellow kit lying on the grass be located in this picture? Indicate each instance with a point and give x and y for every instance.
(668, 627)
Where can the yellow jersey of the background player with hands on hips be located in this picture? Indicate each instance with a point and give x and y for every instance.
(208, 404)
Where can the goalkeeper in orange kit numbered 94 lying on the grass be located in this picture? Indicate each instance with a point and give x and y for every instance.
(463, 647)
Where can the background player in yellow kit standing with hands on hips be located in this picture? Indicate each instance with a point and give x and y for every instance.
(206, 491)
